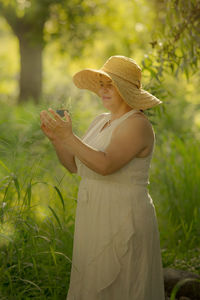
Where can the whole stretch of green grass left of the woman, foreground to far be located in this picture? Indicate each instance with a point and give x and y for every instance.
(37, 207)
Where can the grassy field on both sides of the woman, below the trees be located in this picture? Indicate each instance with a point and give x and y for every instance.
(38, 203)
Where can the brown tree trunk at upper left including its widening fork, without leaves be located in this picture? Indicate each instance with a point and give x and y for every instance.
(29, 32)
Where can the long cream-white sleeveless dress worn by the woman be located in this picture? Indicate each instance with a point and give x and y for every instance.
(116, 250)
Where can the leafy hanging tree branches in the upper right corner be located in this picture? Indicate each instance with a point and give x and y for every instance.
(176, 43)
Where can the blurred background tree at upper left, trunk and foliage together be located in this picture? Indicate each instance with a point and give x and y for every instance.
(29, 19)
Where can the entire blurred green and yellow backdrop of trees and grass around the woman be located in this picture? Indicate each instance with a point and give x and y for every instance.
(42, 44)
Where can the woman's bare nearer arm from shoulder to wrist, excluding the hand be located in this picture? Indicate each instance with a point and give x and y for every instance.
(129, 139)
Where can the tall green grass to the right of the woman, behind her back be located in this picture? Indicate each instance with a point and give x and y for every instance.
(175, 178)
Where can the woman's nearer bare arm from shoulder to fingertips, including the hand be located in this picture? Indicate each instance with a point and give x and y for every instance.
(128, 139)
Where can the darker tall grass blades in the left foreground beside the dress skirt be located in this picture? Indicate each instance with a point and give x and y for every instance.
(36, 244)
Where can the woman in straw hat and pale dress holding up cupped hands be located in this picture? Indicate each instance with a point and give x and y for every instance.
(116, 252)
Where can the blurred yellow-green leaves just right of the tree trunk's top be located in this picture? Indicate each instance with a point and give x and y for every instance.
(73, 23)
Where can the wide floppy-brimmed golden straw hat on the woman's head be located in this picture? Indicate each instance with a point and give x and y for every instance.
(126, 77)
